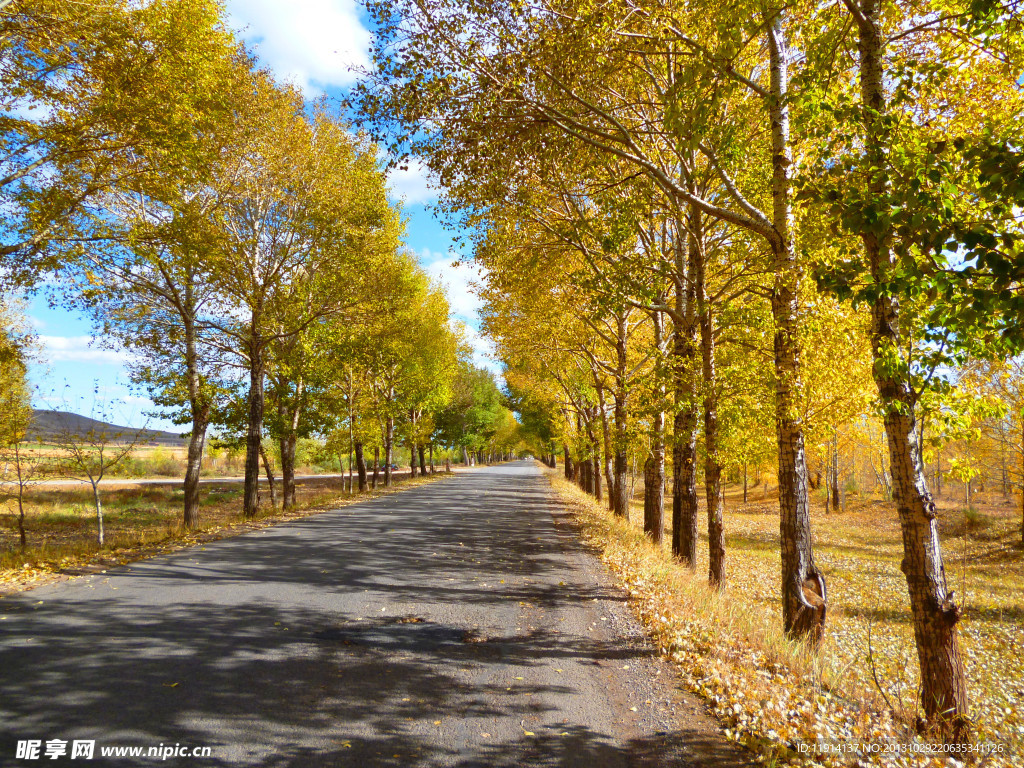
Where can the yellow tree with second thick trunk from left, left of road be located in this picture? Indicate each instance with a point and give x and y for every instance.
(307, 193)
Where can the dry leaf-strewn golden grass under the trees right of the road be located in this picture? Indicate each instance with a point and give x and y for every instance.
(774, 695)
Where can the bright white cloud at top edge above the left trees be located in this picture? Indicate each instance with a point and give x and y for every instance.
(311, 44)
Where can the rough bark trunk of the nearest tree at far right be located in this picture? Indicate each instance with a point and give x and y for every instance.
(936, 616)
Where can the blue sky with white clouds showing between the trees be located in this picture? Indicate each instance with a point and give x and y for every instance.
(313, 45)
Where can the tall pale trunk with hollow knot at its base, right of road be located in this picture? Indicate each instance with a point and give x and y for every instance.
(804, 595)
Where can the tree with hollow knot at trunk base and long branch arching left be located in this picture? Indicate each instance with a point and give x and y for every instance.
(657, 88)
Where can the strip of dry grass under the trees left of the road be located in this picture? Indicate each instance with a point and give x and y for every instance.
(141, 523)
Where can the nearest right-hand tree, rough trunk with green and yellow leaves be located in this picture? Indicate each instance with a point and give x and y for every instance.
(910, 98)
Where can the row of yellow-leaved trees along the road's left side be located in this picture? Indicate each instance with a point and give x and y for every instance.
(239, 243)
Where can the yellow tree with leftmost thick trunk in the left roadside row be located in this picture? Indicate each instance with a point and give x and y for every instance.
(140, 257)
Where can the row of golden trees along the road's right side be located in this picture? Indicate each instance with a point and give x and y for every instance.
(720, 234)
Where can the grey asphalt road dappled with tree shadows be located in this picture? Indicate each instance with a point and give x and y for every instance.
(456, 624)
